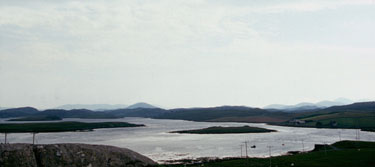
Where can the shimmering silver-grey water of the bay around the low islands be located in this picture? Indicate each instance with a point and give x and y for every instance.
(155, 141)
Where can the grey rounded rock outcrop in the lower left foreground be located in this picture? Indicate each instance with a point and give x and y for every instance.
(72, 155)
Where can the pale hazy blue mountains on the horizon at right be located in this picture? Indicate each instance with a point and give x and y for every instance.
(305, 106)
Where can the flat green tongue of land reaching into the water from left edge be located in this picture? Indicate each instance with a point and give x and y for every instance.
(60, 126)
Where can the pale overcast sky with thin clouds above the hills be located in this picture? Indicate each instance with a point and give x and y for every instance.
(185, 53)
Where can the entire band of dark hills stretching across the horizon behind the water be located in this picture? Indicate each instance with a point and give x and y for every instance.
(215, 114)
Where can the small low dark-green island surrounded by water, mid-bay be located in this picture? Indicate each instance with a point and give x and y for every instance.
(226, 130)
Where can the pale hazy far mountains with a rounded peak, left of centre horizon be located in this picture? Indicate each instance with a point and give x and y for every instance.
(104, 107)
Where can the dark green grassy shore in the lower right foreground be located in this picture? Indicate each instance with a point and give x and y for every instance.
(341, 154)
